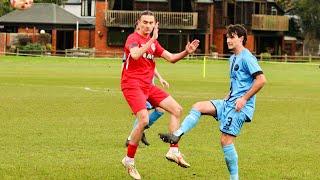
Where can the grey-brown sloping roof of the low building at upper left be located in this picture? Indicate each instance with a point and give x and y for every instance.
(43, 13)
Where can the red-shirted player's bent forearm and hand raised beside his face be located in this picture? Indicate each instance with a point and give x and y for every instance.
(137, 52)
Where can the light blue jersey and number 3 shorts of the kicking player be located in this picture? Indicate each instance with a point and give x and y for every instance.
(243, 69)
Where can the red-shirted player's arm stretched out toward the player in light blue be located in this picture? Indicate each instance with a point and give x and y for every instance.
(173, 58)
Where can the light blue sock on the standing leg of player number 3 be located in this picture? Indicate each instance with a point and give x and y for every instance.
(231, 158)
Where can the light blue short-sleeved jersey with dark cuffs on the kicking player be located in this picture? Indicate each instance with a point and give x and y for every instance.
(243, 69)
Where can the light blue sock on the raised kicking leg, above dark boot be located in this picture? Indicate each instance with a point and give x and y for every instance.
(189, 122)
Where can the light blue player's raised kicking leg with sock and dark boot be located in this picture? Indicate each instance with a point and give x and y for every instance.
(190, 121)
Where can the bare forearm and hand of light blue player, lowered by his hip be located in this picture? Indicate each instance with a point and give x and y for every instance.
(259, 82)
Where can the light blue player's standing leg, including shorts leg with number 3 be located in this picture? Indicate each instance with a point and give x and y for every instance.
(230, 127)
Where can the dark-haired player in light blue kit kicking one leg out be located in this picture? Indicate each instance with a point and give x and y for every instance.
(246, 79)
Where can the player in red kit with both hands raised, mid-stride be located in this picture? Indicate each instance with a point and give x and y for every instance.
(137, 86)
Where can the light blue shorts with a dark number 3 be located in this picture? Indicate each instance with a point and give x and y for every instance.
(231, 121)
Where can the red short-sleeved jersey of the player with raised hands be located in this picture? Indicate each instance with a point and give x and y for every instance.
(140, 71)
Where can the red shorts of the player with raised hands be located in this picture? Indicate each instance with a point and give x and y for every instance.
(137, 97)
